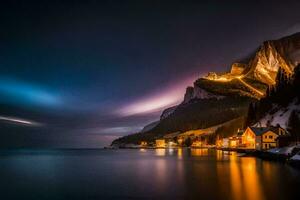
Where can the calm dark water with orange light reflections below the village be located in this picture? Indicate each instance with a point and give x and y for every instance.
(143, 174)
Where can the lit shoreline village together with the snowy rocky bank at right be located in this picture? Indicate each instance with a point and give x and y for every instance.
(273, 142)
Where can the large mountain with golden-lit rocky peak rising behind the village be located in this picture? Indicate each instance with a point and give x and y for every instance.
(221, 97)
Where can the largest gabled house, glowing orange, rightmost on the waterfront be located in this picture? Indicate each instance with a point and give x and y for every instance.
(261, 138)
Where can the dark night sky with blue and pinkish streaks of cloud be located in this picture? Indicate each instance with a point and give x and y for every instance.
(76, 74)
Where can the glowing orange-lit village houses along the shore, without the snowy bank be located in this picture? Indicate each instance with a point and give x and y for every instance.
(253, 138)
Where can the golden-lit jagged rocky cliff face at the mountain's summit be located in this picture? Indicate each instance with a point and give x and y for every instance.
(272, 55)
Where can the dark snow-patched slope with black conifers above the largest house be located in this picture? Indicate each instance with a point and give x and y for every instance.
(281, 104)
